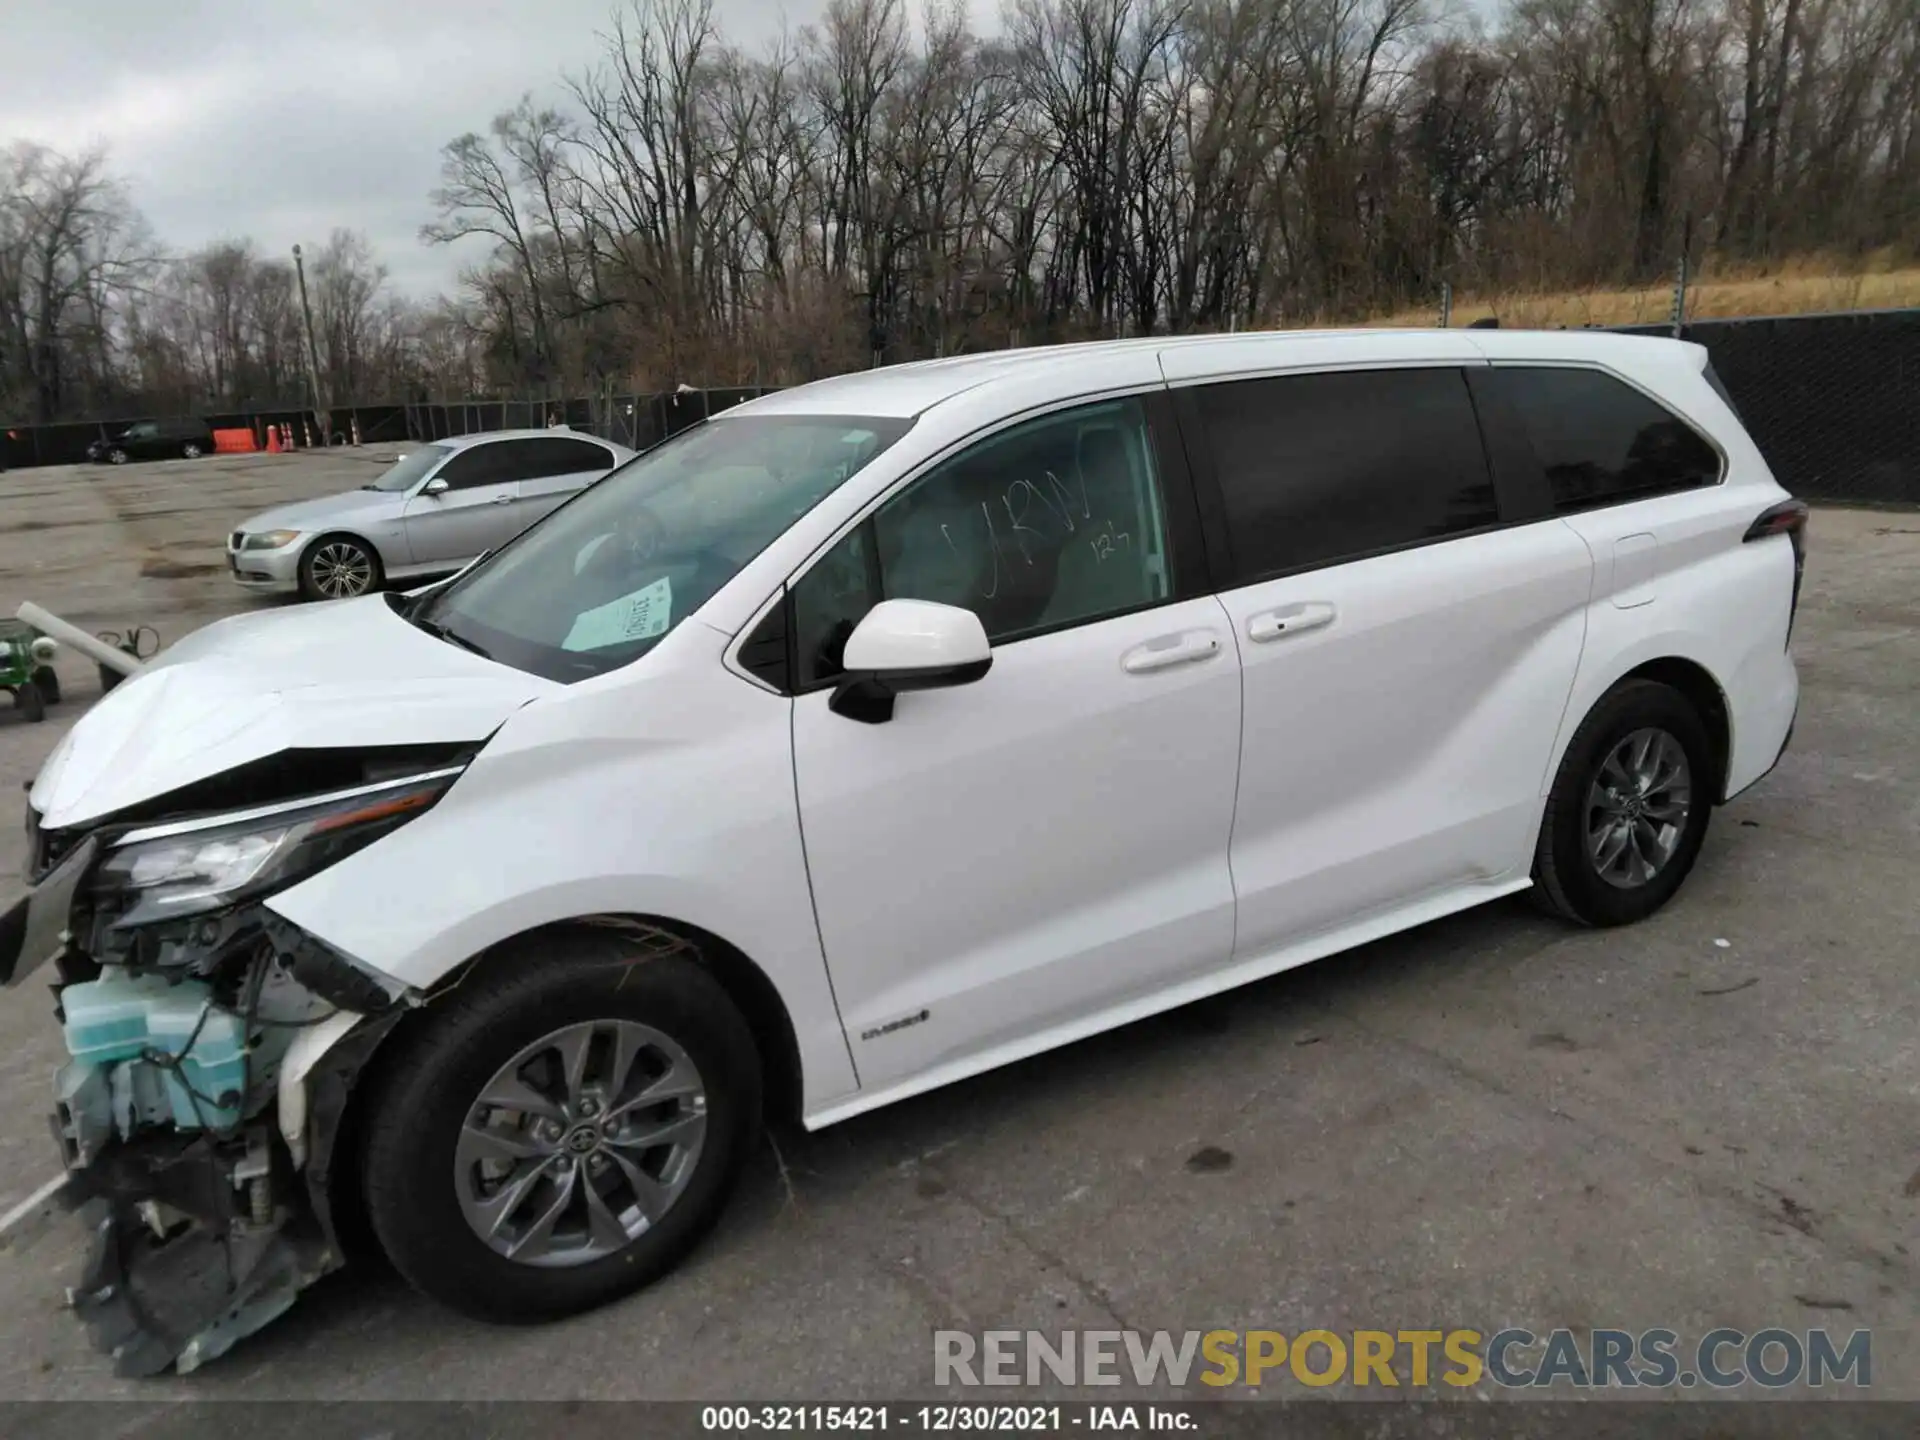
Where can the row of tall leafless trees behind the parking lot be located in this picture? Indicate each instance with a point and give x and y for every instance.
(888, 187)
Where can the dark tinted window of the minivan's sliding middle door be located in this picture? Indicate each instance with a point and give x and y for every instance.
(1330, 468)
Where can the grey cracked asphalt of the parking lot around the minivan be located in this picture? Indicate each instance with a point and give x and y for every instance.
(1495, 1120)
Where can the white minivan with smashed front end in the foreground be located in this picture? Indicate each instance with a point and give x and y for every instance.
(855, 742)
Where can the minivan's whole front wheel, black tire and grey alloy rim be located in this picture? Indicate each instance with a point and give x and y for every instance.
(562, 1130)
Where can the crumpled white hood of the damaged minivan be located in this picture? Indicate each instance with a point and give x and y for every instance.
(343, 675)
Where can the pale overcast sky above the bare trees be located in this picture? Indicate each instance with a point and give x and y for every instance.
(281, 120)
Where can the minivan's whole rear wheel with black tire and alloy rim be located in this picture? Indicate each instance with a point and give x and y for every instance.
(1629, 807)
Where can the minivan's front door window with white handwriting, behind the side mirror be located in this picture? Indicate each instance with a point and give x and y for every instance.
(1045, 525)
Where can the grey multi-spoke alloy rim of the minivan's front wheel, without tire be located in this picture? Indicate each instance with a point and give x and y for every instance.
(581, 1143)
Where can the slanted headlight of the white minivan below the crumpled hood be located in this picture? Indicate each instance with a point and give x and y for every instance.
(191, 867)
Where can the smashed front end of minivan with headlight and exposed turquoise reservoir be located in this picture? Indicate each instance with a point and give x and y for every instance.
(183, 999)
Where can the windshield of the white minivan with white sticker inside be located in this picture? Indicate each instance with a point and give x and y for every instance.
(606, 577)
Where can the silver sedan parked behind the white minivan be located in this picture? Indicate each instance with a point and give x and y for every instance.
(433, 514)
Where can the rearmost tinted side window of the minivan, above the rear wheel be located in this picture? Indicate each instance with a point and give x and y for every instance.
(1600, 441)
